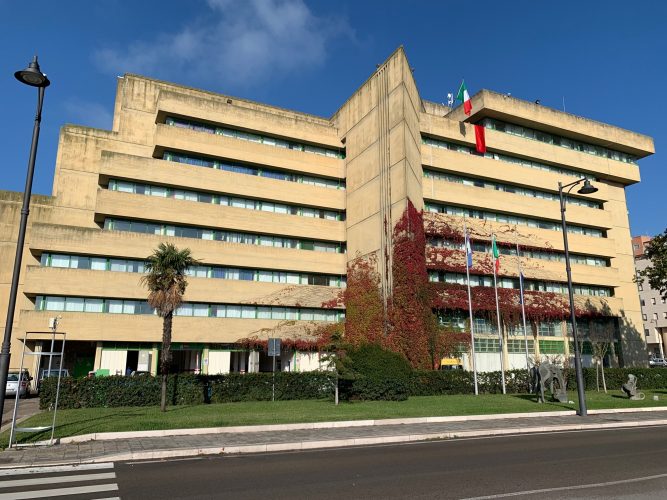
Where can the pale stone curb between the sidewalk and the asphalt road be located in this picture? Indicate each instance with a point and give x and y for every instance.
(351, 442)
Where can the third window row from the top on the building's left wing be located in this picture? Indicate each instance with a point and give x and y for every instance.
(230, 201)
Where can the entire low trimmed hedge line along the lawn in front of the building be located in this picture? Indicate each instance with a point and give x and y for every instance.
(233, 387)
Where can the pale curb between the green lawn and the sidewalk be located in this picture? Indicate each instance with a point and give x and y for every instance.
(109, 436)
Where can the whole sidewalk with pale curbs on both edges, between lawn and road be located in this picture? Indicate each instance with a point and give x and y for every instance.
(147, 445)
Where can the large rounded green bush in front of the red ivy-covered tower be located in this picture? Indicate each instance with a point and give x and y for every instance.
(371, 373)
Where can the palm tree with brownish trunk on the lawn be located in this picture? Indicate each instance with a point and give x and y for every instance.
(166, 283)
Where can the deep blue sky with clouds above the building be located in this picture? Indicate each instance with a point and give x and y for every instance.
(605, 58)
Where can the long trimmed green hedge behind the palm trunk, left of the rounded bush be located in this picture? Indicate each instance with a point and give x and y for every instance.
(184, 389)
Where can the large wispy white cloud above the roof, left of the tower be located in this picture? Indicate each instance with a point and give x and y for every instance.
(241, 43)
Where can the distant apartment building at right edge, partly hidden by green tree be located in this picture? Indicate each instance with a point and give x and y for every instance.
(654, 306)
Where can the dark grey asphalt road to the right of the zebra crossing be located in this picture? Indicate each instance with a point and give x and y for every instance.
(626, 463)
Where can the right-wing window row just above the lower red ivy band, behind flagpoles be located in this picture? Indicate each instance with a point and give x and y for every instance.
(504, 282)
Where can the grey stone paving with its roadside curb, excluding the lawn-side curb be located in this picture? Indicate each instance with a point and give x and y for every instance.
(184, 445)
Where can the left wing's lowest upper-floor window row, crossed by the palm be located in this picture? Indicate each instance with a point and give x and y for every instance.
(121, 306)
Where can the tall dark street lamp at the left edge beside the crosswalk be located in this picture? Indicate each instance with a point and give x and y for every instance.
(32, 76)
